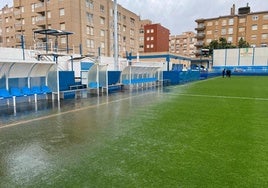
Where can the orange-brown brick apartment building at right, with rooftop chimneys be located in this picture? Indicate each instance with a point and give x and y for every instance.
(250, 26)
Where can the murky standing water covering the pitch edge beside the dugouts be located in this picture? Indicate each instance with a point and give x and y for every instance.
(42, 143)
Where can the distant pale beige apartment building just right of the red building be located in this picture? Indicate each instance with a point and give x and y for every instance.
(183, 44)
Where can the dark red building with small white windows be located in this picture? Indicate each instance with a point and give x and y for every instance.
(156, 38)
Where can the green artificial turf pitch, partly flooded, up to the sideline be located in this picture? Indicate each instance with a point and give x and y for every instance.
(212, 133)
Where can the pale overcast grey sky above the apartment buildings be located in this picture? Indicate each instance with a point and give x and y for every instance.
(180, 15)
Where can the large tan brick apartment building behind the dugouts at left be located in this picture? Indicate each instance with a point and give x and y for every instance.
(90, 21)
